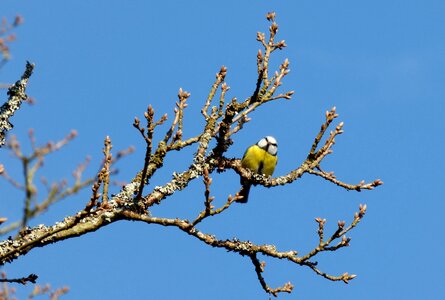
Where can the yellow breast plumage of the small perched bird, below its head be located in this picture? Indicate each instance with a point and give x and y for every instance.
(259, 160)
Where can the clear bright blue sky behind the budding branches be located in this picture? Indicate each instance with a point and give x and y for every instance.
(381, 63)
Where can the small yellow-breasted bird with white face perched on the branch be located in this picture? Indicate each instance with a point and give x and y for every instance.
(260, 158)
